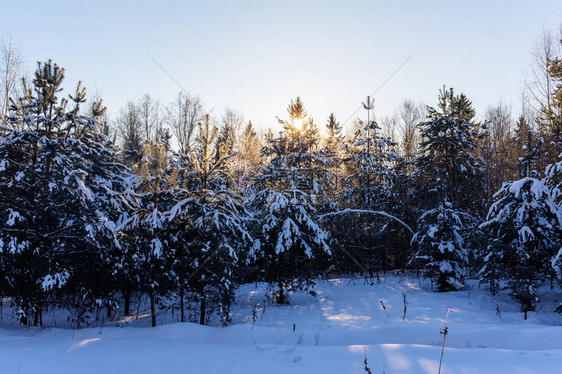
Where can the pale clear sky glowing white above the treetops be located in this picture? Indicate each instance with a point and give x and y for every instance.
(255, 56)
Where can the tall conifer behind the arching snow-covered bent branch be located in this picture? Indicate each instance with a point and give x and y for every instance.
(370, 163)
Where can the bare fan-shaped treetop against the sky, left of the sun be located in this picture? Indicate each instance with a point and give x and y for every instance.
(182, 118)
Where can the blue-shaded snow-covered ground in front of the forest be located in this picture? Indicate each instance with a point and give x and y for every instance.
(330, 333)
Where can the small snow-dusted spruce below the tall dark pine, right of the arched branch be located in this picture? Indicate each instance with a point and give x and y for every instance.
(440, 246)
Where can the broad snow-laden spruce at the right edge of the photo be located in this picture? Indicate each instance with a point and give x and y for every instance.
(524, 227)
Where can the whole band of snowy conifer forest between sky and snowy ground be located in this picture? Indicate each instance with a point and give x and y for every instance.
(172, 208)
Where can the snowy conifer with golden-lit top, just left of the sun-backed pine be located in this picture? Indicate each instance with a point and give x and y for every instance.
(210, 229)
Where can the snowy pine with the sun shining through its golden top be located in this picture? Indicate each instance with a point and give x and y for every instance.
(290, 241)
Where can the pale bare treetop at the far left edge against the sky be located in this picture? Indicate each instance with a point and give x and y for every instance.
(11, 69)
